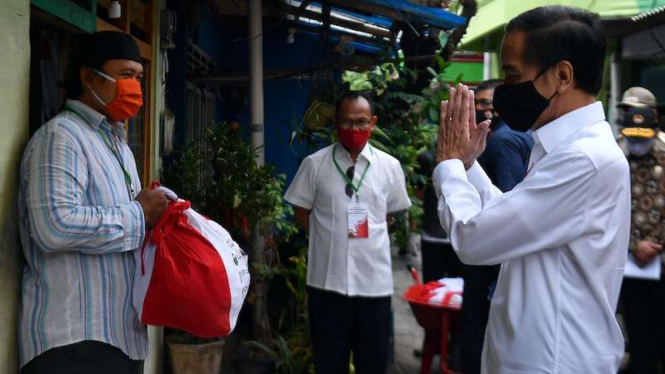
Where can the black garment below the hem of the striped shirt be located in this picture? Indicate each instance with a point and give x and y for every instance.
(85, 357)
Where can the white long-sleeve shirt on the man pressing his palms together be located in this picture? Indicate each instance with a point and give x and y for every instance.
(561, 236)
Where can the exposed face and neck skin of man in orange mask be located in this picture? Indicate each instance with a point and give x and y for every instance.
(105, 89)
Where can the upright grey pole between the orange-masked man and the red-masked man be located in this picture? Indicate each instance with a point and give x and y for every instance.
(256, 77)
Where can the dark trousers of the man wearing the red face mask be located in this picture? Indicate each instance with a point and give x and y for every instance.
(340, 324)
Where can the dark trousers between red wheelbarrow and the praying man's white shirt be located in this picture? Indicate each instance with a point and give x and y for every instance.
(475, 311)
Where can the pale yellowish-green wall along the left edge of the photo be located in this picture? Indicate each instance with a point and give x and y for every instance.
(14, 124)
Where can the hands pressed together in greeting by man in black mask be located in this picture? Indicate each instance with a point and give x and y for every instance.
(459, 136)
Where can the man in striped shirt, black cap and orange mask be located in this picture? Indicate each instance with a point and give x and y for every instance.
(81, 218)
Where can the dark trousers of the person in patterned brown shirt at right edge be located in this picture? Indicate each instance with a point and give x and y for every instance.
(644, 312)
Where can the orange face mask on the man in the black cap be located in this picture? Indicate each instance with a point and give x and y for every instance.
(127, 101)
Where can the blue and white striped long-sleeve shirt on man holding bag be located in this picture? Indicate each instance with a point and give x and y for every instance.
(79, 227)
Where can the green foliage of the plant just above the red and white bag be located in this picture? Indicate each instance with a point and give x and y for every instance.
(219, 175)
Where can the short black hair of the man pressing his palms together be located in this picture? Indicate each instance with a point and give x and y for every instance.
(558, 33)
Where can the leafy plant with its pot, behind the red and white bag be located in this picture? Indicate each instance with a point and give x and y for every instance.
(219, 175)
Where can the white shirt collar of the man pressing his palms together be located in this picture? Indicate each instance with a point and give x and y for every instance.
(555, 132)
